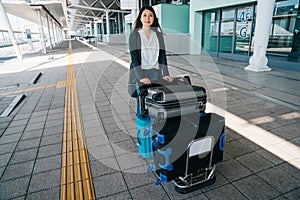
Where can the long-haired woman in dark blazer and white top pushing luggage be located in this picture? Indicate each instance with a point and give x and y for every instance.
(147, 51)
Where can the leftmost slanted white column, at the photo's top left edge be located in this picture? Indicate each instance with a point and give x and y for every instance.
(10, 31)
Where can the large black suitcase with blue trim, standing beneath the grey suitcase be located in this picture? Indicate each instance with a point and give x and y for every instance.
(170, 156)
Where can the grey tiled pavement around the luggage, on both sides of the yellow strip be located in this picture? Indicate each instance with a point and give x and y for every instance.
(31, 136)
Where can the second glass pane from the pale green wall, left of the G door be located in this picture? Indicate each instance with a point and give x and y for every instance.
(227, 30)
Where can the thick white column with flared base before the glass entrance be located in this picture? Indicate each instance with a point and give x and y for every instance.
(258, 62)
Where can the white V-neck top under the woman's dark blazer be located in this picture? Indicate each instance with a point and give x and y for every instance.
(149, 50)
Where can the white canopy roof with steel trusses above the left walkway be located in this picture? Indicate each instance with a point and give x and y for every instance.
(69, 14)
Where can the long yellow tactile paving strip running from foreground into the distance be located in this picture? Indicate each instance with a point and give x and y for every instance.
(76, 179)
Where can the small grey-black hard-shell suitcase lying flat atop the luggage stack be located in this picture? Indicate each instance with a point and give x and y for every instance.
(171, 101)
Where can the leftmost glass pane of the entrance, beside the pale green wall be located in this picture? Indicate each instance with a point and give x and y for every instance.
(210, 30)
